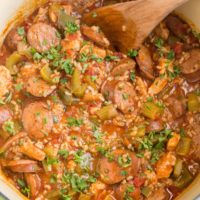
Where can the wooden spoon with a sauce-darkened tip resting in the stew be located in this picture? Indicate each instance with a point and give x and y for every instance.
(128, 24)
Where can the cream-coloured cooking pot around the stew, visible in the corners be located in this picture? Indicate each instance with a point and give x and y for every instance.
(14, 11)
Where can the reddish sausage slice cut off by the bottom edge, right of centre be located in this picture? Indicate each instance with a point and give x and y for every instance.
(122, 191)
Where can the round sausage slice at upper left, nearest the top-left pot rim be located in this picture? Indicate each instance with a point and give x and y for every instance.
(42, 37)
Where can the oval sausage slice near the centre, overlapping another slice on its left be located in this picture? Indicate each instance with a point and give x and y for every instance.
(124, 96)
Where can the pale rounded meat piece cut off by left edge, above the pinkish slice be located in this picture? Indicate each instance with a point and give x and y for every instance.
(5, 81)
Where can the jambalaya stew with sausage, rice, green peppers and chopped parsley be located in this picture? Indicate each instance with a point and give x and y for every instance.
(80, 121)
